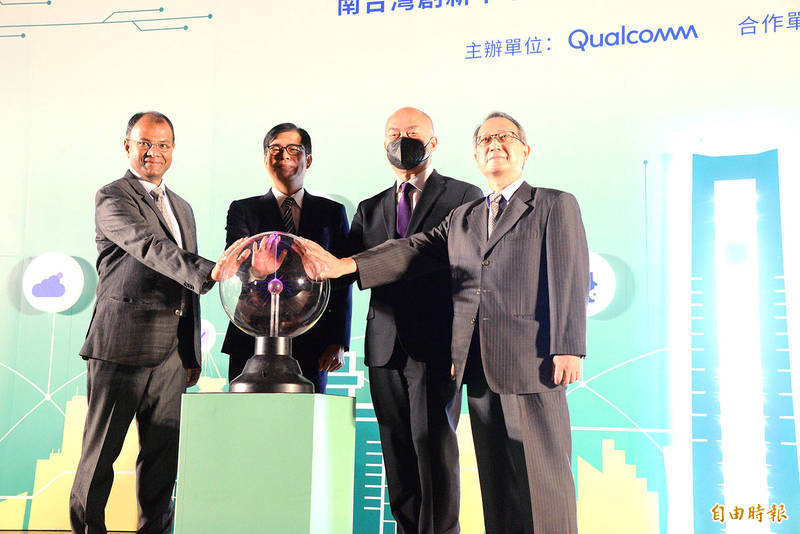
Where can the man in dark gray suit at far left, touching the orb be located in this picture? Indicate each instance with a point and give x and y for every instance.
(142, 349)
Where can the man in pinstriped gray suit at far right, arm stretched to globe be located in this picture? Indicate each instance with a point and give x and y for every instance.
(520, 269)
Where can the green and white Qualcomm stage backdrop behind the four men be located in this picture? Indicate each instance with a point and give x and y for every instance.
(679, 136)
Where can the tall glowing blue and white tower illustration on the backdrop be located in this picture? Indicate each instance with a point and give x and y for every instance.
(743, 421)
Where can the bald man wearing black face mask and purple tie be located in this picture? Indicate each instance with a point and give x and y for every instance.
(407, 345)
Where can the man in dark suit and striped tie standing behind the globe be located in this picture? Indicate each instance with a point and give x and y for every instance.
(287, 207)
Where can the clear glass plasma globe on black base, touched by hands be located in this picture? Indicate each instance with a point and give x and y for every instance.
(274, 291)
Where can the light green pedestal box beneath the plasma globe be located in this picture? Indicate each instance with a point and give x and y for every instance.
(265, 463)
